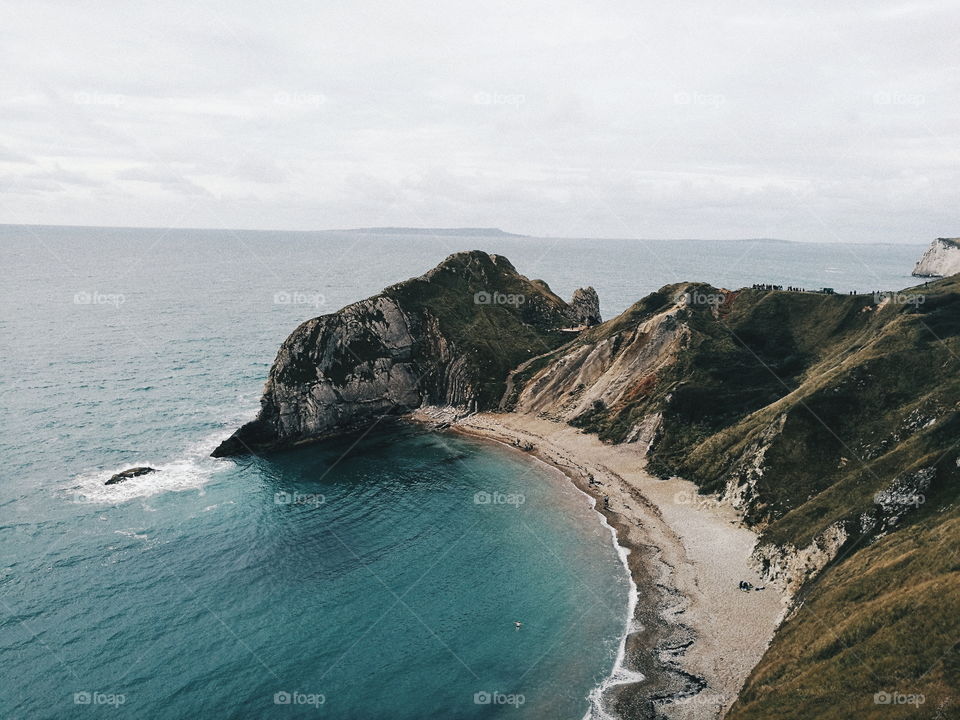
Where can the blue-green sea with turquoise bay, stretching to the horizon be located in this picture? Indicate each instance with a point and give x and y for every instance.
(374, 577)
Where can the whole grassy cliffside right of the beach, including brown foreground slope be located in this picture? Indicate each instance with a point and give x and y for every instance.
(831, 422)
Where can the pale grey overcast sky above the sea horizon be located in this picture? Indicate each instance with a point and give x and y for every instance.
(804, 121)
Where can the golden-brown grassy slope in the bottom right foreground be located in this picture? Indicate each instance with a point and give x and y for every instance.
(883, 620)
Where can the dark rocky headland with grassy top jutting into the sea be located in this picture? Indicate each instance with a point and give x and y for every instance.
(448, 337)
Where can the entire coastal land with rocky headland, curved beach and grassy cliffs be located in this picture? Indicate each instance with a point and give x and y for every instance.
(816, 435)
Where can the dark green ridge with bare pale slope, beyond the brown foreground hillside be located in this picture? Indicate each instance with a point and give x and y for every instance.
(735, 390)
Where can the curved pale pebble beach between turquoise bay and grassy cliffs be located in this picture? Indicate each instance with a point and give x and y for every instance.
(693, 636)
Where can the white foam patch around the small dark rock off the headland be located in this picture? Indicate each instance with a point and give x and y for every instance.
(191, 471)
